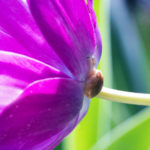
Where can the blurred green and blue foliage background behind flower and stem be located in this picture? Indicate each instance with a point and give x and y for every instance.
(125, 63)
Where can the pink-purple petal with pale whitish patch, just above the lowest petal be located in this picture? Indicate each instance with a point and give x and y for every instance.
(17, 71)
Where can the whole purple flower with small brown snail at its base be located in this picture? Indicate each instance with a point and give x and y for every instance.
(48, 53)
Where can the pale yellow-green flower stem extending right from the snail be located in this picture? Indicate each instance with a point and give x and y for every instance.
(124, 97)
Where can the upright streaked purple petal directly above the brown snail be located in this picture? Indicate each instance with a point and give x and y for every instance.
(68, 23)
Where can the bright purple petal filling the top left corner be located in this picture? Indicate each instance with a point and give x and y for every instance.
(21, 29)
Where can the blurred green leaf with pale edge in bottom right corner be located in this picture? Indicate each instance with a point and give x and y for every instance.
(133, 134)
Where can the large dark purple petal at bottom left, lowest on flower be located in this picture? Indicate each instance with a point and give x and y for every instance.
(45, 112)
